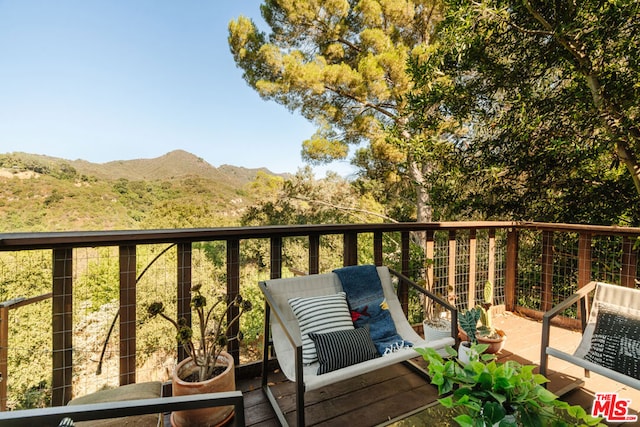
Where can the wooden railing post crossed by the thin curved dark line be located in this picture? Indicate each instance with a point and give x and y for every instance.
(127, 315)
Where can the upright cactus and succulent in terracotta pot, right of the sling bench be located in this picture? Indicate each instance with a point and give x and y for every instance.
(485, 333)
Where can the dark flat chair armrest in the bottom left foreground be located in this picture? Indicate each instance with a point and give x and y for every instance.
(96, 411)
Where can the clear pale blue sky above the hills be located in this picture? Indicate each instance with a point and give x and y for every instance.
(104, 80)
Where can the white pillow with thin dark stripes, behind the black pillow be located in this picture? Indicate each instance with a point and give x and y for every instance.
(325, 313)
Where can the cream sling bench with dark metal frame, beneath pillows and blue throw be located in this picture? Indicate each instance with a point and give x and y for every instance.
(282, 330)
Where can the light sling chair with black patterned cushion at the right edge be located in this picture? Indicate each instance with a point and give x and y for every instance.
(610, 344)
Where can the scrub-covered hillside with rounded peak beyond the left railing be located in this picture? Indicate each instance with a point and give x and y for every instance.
(41, 193)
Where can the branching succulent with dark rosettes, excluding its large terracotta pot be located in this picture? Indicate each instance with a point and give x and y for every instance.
(214, 330)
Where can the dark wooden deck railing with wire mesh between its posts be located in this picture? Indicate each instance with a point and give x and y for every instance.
(453, 259)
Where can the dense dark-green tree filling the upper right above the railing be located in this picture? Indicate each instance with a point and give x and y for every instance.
(547, 98)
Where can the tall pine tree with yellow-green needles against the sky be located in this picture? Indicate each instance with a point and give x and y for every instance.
(342, 65)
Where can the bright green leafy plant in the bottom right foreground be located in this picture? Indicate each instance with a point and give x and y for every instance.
(484, 392)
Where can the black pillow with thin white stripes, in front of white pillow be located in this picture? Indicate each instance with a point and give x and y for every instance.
(340, 349)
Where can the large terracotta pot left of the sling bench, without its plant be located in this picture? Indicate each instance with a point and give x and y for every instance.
(206, 417)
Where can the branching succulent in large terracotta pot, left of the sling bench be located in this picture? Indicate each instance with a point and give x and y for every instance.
(209, 368)
